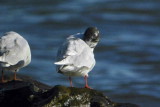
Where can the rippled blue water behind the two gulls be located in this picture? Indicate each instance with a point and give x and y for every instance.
(128, 55)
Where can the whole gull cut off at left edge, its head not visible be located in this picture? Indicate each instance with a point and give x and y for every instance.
(14, 53)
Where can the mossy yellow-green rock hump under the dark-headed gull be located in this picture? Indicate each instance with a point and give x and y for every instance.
(70, 96)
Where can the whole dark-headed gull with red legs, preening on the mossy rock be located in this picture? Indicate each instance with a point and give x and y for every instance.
(75, 56)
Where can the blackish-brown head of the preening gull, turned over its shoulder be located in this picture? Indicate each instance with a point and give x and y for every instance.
(91, 36)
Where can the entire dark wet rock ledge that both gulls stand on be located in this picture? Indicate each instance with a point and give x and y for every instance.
(30, 93)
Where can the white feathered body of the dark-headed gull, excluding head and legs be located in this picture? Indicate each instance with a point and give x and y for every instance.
(75, 57)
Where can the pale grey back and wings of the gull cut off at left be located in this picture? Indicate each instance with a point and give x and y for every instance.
(14, 48)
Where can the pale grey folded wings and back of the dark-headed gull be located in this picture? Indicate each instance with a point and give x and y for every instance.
(75, 52)
